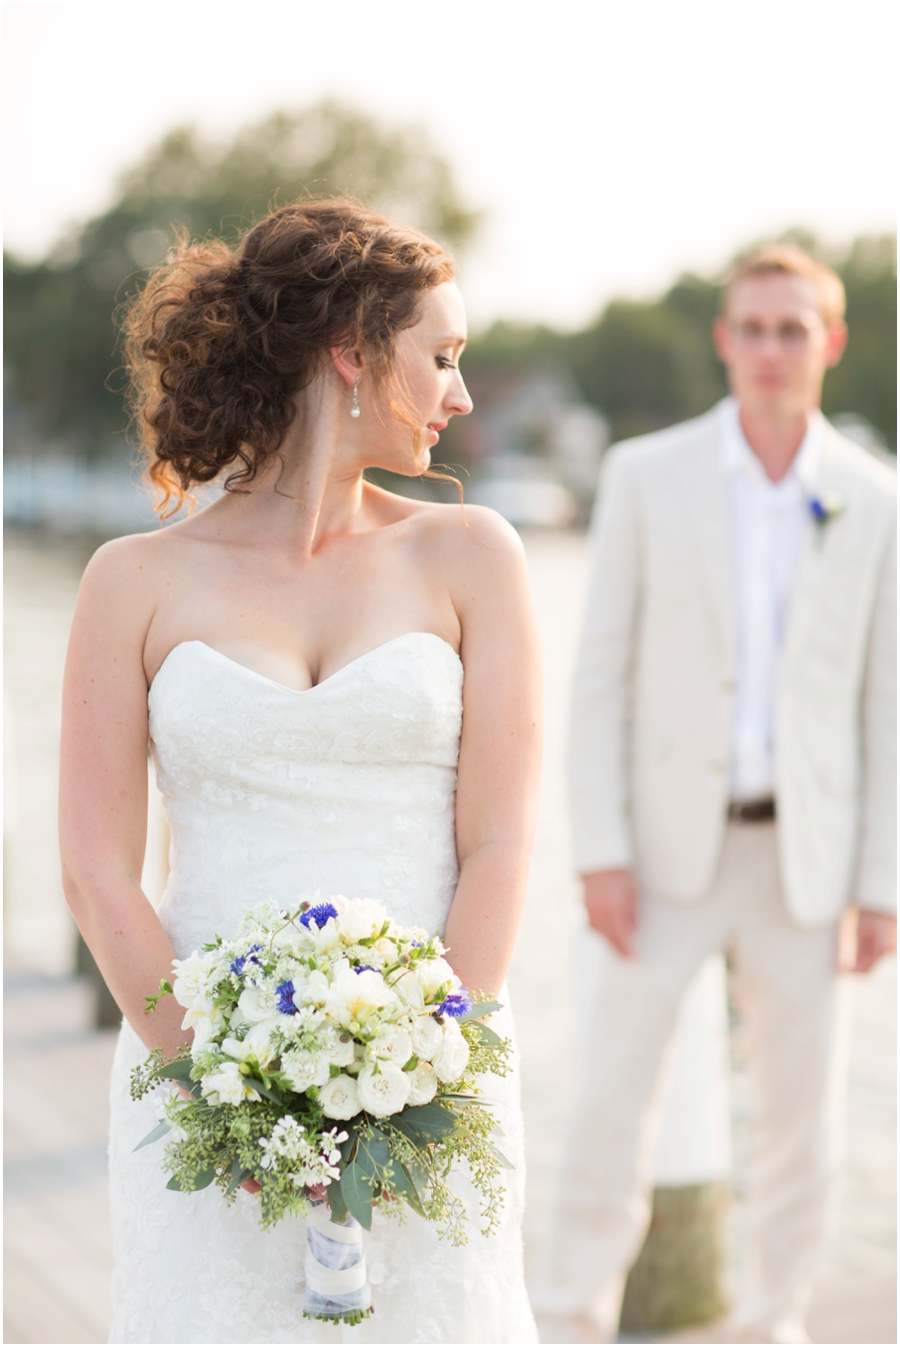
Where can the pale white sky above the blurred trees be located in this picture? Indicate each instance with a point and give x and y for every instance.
(611, 146)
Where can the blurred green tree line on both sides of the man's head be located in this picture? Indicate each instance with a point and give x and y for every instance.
(651, 364)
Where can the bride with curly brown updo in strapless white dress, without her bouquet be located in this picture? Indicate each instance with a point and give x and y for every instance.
(340, 689)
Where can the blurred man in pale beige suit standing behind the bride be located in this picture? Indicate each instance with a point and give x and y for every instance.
(734, 782)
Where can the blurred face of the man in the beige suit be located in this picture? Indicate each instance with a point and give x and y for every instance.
(777, 346)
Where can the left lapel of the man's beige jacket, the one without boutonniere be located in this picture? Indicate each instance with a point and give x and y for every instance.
(707, 513)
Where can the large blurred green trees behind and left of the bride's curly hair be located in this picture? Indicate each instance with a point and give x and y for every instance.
(61, 340)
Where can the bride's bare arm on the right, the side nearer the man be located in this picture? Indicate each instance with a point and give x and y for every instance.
(501, 751)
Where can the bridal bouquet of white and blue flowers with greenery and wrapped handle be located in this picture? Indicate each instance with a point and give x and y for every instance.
(336, 1055)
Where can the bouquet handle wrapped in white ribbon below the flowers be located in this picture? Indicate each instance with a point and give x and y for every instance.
(337, 1284)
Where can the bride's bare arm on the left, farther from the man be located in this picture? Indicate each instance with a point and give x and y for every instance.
(103, 790)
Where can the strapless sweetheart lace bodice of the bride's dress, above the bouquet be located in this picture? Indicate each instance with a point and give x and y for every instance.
(348, 787)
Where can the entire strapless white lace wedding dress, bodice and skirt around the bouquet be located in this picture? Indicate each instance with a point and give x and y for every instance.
(270, 793)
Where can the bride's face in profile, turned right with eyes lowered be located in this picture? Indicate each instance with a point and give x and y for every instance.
(428, 382)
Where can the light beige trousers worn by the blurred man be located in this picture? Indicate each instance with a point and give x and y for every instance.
(793, 1004)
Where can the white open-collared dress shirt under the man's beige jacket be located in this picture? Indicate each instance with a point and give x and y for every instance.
(769, 523)
